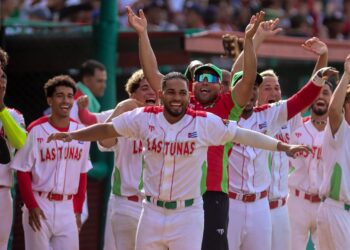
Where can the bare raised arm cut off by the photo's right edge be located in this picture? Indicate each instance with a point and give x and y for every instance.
(338, 98)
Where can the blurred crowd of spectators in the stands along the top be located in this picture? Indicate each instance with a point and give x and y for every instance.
(301, 18)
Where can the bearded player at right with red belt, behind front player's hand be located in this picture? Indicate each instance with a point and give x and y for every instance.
(305, 180)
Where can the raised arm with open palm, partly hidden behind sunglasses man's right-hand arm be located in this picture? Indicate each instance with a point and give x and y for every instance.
(266, 29)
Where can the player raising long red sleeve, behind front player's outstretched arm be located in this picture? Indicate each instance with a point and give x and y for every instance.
(250, 221)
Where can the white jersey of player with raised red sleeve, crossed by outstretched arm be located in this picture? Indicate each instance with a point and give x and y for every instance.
(248, 166)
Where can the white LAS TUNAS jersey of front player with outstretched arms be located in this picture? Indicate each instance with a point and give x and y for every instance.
(175, 154)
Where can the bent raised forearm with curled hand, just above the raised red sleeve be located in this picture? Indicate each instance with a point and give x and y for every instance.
(319, 48)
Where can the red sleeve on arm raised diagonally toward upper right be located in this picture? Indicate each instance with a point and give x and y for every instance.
(302, 99)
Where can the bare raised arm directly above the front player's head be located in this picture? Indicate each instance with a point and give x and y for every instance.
(148, 59)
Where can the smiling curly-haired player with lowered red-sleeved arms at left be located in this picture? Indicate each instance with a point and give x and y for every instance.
(52, 176)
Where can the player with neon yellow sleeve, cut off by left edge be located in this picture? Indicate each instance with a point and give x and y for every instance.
(12, 136)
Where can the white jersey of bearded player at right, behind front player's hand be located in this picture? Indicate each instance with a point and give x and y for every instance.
(307, 175)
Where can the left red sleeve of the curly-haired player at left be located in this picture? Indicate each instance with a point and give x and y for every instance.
(25, 188)
